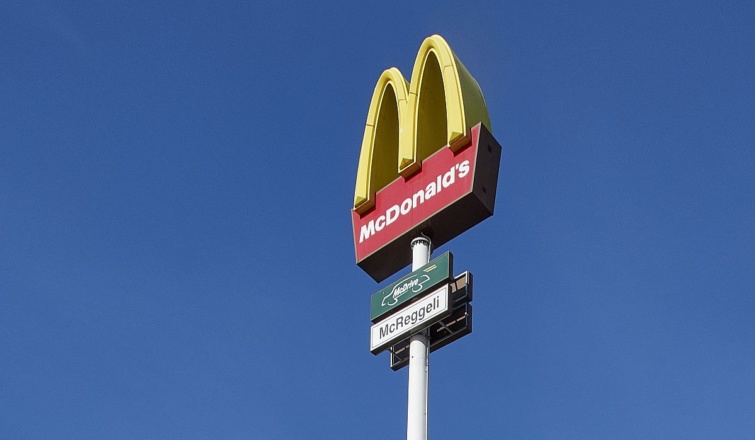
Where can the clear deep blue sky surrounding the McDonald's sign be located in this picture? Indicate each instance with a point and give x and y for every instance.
(176, 259)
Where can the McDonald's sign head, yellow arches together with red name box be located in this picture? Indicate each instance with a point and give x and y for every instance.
(428, 162)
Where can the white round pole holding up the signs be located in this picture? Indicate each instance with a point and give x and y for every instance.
(419, 360)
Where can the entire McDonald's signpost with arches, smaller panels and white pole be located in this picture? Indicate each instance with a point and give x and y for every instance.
(428, 171)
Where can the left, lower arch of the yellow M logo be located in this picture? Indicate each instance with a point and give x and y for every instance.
(378, 159)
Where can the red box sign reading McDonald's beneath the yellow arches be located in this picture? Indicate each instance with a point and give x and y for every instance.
(451, 193)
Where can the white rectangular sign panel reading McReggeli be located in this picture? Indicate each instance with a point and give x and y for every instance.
(417, 316)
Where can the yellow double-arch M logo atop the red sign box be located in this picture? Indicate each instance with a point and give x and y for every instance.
(408, 122)
